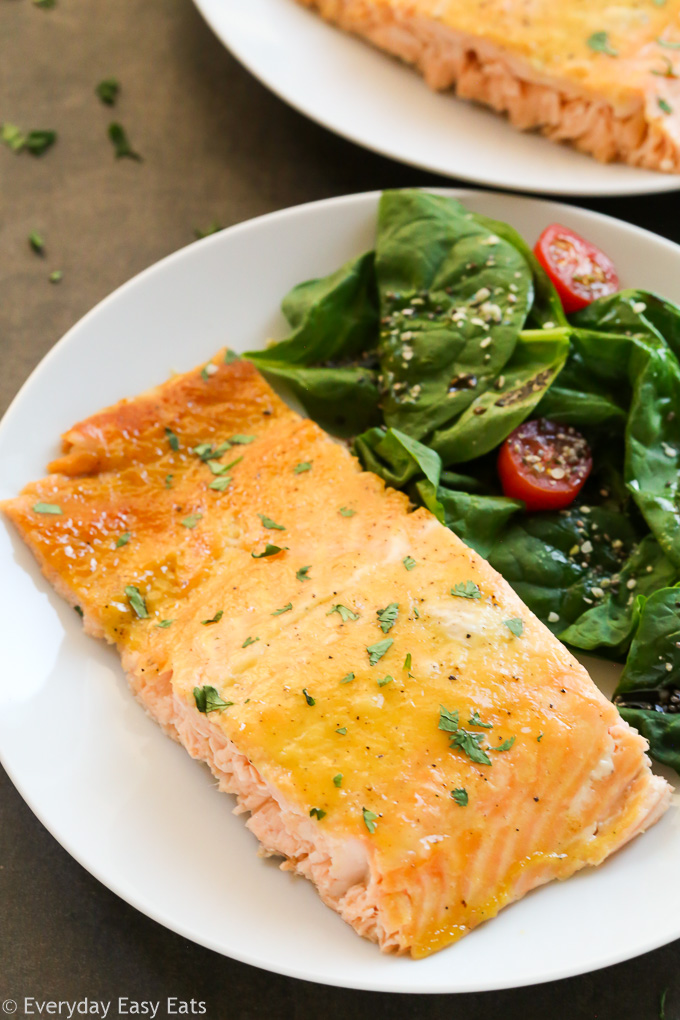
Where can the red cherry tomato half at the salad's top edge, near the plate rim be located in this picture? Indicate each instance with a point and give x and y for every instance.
(581, 272)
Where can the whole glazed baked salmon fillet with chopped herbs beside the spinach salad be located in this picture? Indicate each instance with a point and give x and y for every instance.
(400, 728)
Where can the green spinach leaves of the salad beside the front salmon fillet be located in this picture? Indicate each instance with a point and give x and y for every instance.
(430, 351)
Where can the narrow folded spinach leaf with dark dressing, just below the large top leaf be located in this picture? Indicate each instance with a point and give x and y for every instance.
(539, 358)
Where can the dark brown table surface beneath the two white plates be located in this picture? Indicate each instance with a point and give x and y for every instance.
(217, 146)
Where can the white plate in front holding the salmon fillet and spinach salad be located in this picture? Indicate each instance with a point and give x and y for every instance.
(131, 805)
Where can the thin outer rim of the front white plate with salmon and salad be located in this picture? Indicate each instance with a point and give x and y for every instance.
(139, 902)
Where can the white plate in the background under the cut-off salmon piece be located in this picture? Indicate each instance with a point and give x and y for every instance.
(373, 99)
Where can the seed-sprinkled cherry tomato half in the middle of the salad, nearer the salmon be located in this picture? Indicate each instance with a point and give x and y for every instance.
(545, 465)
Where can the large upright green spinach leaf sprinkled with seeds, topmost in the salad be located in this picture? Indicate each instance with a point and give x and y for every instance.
(453, 300)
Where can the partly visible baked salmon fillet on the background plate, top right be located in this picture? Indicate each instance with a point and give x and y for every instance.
(599, 75)
